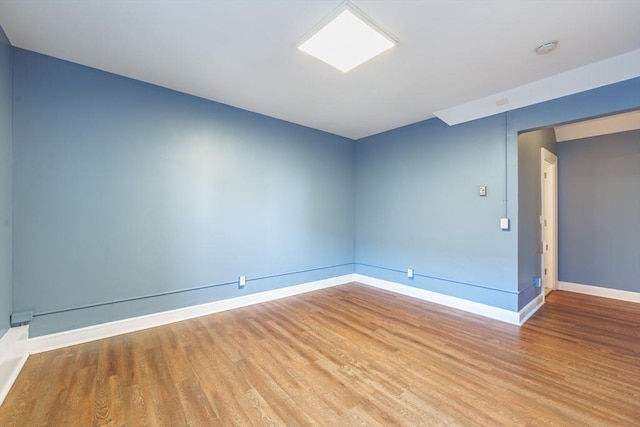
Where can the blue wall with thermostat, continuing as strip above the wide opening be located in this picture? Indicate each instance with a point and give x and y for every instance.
(417, 204)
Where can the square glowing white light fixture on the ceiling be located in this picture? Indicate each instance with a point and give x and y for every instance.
(347, 40)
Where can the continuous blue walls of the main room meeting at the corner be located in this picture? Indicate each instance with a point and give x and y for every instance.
(129, 199)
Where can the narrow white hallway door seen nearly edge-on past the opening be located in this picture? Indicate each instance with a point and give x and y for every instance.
(549, 220)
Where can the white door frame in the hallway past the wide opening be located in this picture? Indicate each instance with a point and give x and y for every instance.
(549, 195)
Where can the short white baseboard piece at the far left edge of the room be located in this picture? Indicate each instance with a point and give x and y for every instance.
(13, 355)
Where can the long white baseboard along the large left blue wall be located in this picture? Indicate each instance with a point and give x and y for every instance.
(119, 327)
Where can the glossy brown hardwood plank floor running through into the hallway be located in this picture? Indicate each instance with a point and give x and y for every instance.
(343, 356)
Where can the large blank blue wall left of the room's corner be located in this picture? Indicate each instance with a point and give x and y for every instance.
(123, 189)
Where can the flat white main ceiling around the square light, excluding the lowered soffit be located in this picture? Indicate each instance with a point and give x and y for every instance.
(243, 53)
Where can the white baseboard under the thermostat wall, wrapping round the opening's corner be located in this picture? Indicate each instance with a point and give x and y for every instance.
(508, 316)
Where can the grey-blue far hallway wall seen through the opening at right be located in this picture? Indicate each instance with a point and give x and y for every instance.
(599, 211)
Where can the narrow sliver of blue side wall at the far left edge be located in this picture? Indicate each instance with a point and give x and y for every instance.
(5, 183)
